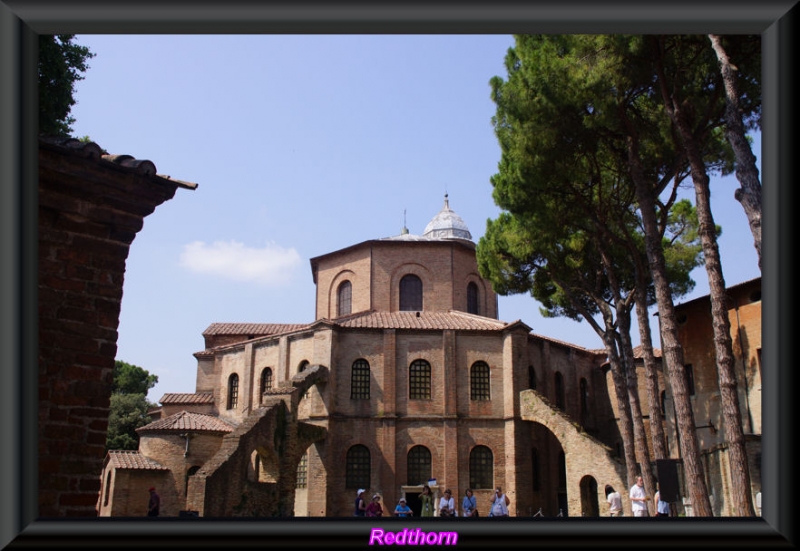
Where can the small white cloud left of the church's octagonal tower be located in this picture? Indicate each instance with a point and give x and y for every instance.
(271, 265)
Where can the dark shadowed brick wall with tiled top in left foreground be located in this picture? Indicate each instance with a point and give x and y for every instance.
(90, 210)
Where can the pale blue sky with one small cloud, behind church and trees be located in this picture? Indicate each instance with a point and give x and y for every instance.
(300, 146)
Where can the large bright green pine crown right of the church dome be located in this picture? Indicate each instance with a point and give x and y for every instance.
(570, 234)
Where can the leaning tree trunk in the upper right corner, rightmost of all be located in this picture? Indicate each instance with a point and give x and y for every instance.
(749, 192)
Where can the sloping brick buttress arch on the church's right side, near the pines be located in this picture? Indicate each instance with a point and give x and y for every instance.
(585, 455)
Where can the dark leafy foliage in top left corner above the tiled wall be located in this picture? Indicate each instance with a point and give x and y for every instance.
(61, 63)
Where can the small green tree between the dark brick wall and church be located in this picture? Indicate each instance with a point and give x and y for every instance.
(129, 405)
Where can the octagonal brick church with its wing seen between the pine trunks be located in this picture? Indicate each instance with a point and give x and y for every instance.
(407, 377)
